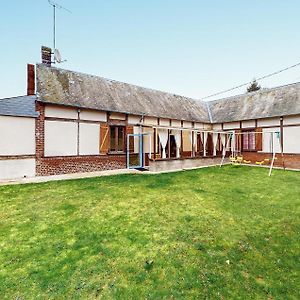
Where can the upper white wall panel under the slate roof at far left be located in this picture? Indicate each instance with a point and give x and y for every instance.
(17, 136)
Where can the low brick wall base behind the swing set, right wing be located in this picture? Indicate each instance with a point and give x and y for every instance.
(291, 161)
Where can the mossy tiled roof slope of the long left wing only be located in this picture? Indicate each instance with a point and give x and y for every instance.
(76, 89)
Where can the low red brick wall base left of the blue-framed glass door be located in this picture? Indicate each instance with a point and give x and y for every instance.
(78, 164)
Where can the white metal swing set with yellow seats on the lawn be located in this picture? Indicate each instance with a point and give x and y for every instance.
(234, 146)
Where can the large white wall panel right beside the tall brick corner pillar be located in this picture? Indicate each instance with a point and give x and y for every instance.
(60, 138)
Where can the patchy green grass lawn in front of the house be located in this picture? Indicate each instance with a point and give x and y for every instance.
(230, 233)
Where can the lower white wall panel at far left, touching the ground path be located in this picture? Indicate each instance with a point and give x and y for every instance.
(17, 168)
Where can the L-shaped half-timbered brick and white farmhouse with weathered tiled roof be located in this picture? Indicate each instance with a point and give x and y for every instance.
(73, 122)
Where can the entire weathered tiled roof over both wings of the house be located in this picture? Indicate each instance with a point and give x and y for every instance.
(70, 88)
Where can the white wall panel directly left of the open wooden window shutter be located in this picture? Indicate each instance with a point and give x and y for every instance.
(89, 139)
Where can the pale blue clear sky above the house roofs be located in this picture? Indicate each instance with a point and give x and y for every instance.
(193, 48)
